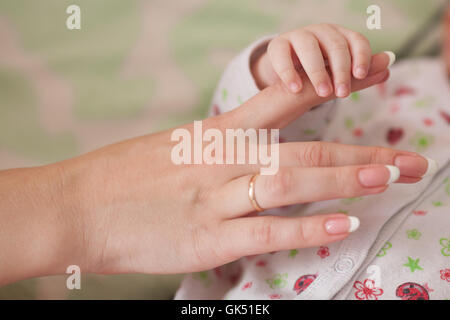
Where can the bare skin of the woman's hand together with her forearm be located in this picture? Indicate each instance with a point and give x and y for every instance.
(126, 208)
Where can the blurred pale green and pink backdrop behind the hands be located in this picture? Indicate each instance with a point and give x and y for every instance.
(139, 66)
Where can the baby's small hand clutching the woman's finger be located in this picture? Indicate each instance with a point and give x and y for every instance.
(314, 48)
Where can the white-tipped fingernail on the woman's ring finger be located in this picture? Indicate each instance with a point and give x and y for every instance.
(378, 176)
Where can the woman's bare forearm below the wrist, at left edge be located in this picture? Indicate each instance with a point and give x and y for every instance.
(38, 233)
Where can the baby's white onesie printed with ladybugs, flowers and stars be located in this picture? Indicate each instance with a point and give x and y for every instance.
(402, 248)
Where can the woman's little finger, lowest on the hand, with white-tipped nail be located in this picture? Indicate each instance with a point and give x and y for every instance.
(257, 235)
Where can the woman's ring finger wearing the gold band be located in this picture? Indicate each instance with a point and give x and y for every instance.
(293, 185)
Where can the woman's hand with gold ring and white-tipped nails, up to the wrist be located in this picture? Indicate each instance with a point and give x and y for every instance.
(139, 212)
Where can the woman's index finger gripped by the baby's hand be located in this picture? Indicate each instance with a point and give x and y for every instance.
(276, 107)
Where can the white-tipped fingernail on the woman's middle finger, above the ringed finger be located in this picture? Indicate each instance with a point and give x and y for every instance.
(415, 166)
